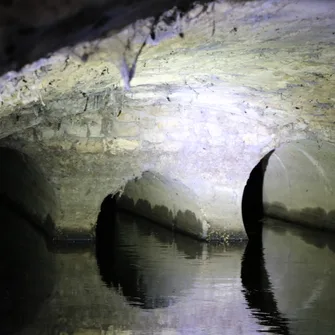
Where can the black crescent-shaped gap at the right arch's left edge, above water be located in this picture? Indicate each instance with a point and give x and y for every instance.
(252, 200)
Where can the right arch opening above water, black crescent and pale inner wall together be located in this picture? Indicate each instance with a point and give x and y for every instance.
(294, 183)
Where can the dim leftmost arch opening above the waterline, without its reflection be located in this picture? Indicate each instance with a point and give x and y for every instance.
(26, 191)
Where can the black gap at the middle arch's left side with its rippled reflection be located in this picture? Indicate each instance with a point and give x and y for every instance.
(117, 260)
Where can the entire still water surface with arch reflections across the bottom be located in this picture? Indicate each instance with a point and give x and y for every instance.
(143, 279)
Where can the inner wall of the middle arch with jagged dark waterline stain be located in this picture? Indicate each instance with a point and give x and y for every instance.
(165, 201)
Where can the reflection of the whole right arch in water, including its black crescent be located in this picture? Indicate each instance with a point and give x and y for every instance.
(288, 277)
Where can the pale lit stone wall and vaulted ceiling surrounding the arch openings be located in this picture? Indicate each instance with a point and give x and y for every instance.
(202, 109)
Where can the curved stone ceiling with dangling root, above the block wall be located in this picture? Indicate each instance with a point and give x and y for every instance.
(283, 49)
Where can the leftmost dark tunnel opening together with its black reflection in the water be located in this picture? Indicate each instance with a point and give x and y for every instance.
(26, 265)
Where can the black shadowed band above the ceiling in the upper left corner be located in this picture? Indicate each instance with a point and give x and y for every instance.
(25, 43)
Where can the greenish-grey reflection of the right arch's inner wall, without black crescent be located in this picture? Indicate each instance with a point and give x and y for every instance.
(301, 267)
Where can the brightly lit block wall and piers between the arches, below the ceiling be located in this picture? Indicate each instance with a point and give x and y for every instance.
(86, 160)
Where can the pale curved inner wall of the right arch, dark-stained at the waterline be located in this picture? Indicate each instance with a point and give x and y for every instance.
(299, 184)
